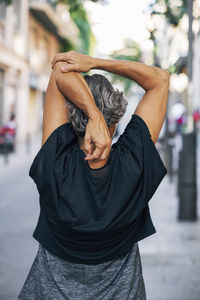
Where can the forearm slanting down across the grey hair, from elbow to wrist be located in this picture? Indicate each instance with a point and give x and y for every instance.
(72, 86)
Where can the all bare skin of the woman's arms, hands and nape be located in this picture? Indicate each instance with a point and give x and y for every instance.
(70, 83)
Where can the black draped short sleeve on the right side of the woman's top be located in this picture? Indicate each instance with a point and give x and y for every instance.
(136, 141)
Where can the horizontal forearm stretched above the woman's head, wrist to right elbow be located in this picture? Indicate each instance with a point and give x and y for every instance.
(148, 77)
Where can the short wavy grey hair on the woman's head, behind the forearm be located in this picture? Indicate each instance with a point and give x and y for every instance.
(110, 102)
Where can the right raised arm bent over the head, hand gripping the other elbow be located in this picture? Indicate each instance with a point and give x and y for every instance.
(155, 82)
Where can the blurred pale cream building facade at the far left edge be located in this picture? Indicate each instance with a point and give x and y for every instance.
(14, 64)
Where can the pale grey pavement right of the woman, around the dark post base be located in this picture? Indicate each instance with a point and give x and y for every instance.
(171, 257)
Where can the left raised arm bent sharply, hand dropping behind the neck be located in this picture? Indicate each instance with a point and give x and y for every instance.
(74, 87)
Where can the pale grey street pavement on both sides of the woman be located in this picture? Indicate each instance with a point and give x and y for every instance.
(170, 257)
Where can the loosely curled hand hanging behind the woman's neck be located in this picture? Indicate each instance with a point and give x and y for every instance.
(97, 139)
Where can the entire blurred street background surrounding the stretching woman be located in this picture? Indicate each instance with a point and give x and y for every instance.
(162, 33)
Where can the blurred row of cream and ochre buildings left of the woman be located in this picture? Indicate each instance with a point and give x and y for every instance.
(31, 33)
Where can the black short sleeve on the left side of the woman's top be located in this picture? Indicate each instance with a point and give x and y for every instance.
(41, 169)
